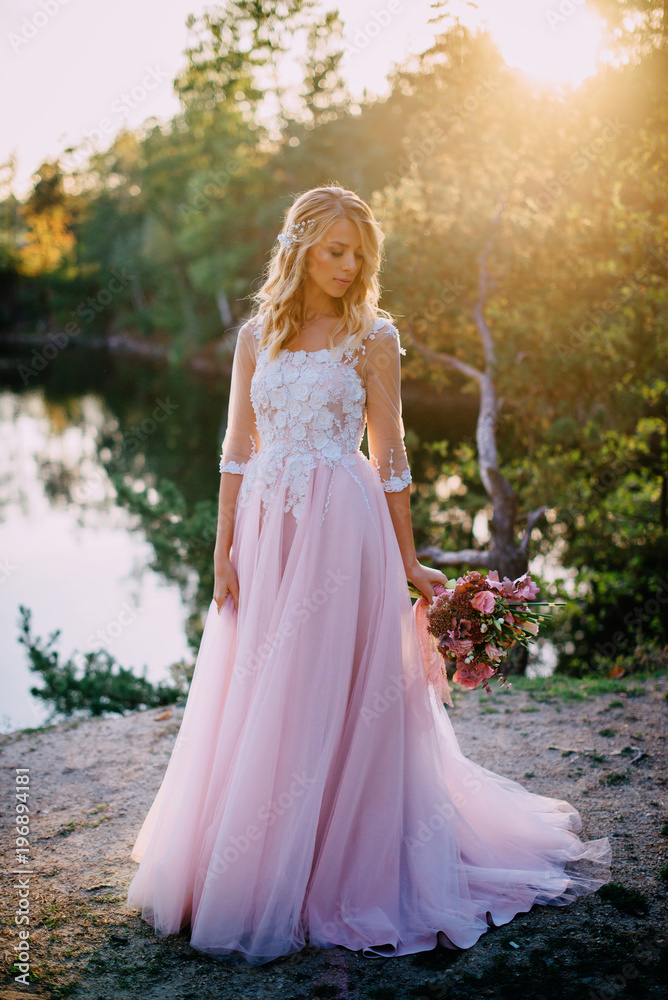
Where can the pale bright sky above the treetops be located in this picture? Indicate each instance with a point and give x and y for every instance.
(75, 71)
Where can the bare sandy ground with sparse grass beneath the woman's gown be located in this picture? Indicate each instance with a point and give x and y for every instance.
(92, 782)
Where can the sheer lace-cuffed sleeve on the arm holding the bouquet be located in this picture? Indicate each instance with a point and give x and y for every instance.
(385, 429)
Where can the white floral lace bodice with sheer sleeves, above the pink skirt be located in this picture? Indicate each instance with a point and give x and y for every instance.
(306, 407)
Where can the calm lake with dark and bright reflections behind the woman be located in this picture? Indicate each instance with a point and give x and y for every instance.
(69, 552)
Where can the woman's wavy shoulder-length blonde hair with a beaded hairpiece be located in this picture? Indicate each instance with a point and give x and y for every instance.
(279, 300)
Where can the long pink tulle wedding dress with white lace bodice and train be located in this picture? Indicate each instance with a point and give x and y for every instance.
(316, 790)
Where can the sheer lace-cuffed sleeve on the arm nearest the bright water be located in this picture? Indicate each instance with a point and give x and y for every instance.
(241, 436)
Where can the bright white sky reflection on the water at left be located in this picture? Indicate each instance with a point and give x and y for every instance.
(71, 554)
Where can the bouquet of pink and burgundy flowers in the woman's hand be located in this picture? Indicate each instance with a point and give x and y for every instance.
(476, 623)
